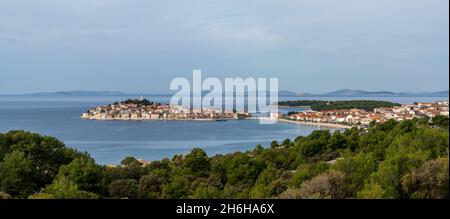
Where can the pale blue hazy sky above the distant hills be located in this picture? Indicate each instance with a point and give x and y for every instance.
(140, 46)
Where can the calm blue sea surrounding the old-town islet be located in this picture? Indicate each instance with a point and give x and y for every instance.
(108, 142)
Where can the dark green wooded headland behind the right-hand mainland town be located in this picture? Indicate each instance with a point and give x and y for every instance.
(319, 105)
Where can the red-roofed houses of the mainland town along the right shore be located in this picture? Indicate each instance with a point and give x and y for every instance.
(360, 117)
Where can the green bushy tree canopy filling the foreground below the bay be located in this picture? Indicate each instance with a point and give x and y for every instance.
(391, 160)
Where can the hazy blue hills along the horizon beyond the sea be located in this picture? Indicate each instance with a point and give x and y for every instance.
(283, 93)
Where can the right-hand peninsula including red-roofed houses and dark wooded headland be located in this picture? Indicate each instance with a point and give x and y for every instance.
(362, 113)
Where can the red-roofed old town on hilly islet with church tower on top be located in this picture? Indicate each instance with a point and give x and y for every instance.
(142, 109)
